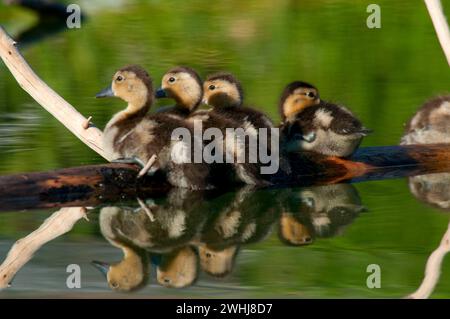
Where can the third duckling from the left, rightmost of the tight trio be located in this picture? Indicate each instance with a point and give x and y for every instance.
(223, 92)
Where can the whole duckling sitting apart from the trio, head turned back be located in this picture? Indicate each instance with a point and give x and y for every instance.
(311, 124)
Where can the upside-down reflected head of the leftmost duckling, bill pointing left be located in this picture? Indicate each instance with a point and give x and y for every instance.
(128, 275)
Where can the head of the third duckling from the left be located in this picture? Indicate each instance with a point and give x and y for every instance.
(222, 90)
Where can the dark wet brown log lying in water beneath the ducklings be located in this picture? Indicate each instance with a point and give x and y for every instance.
(99, 184)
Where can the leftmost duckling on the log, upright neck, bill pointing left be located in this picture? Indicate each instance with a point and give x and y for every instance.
(134, 136)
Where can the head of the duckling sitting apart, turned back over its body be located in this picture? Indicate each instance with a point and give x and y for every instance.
(296, 97)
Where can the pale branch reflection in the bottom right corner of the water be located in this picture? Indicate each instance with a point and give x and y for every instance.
(433, 269)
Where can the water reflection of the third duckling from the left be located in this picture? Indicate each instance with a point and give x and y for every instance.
(248, 217)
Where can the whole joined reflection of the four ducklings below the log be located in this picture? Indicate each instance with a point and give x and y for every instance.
(191, 231)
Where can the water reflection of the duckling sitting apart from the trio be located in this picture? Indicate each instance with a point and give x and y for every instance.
(321, 211)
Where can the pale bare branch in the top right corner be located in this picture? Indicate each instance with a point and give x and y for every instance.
(440, 25)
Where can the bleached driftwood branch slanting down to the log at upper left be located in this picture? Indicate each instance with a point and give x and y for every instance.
(46, 97)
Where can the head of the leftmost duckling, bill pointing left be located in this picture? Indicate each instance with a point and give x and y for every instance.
(132, 84)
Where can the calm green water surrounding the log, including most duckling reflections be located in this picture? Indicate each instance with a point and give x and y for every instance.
(239, 243)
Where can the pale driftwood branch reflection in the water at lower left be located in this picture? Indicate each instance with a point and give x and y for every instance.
(23, 250)
